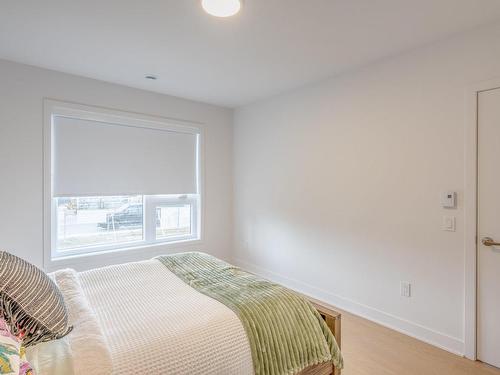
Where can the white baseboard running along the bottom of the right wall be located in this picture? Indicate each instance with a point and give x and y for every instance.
(415, 330)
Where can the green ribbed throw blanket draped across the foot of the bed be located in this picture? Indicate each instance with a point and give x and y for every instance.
(285, 331)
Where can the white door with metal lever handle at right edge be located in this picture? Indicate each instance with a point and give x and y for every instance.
(488, 308)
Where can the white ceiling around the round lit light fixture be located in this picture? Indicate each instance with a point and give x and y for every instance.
(270, 47)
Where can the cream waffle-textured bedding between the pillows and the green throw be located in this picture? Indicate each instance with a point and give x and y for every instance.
(152, 323)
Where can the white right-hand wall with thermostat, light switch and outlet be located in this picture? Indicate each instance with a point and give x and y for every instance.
(337, 186)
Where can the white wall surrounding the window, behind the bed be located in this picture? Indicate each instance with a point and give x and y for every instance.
(22, 90)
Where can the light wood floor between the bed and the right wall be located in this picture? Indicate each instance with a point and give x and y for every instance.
(370, 349)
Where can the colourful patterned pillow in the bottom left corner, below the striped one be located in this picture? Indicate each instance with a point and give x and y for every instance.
(12, 355)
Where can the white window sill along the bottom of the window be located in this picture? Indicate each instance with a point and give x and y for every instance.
(82, 262)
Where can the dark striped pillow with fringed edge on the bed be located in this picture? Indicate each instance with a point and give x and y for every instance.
(30, 302)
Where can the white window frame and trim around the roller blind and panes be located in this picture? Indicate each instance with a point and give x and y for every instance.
(149, 246)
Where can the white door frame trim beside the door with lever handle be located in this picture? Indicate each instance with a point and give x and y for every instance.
(471, 213)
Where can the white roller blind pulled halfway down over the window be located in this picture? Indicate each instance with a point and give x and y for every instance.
(92, 158)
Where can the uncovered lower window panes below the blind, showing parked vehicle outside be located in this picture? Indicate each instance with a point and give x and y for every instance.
(86, 224)
